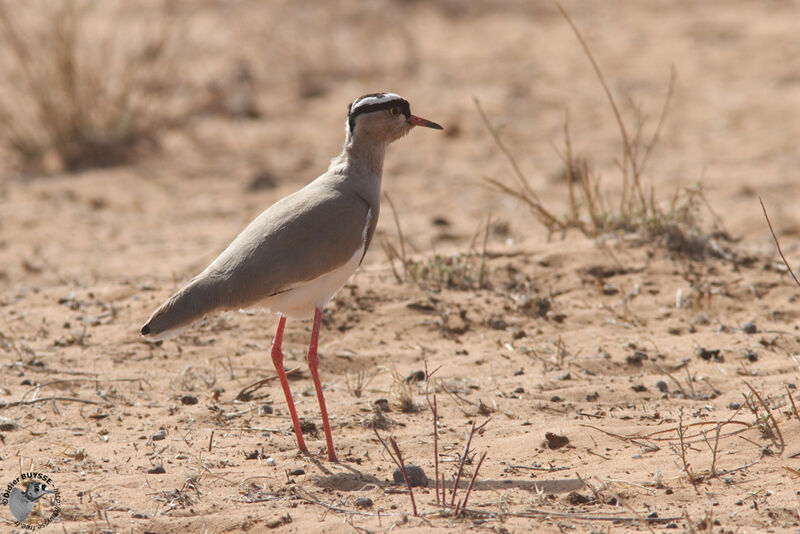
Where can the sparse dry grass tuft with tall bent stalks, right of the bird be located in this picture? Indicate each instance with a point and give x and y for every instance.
(673, 224)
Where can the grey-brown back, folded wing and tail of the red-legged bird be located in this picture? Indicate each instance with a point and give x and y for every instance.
(297, 239)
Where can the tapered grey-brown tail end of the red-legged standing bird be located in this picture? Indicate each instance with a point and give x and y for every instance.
(181, 310)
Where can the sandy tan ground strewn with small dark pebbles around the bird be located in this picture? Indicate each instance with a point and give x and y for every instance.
(670, 378)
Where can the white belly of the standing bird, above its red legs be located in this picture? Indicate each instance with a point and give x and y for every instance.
(300, 301)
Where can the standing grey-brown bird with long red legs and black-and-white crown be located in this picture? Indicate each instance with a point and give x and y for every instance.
(295, 256)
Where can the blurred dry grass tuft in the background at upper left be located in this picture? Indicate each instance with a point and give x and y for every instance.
(82, 91)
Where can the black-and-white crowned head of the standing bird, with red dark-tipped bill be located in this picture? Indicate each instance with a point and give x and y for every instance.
(382, 117)
